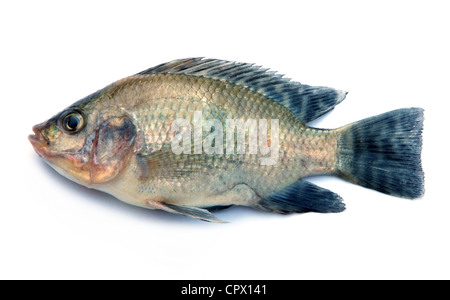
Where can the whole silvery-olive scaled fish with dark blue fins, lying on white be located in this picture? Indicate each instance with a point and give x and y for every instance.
(197, 135)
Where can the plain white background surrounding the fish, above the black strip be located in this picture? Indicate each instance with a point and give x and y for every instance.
(387, 54)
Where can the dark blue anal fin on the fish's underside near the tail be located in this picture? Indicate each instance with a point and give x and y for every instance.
(302, 196)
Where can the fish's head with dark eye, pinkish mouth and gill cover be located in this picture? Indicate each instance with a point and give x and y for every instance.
(83, 146)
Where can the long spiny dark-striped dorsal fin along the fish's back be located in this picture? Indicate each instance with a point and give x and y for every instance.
(306, 102)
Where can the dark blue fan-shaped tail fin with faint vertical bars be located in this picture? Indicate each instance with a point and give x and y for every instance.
(383, 153)
